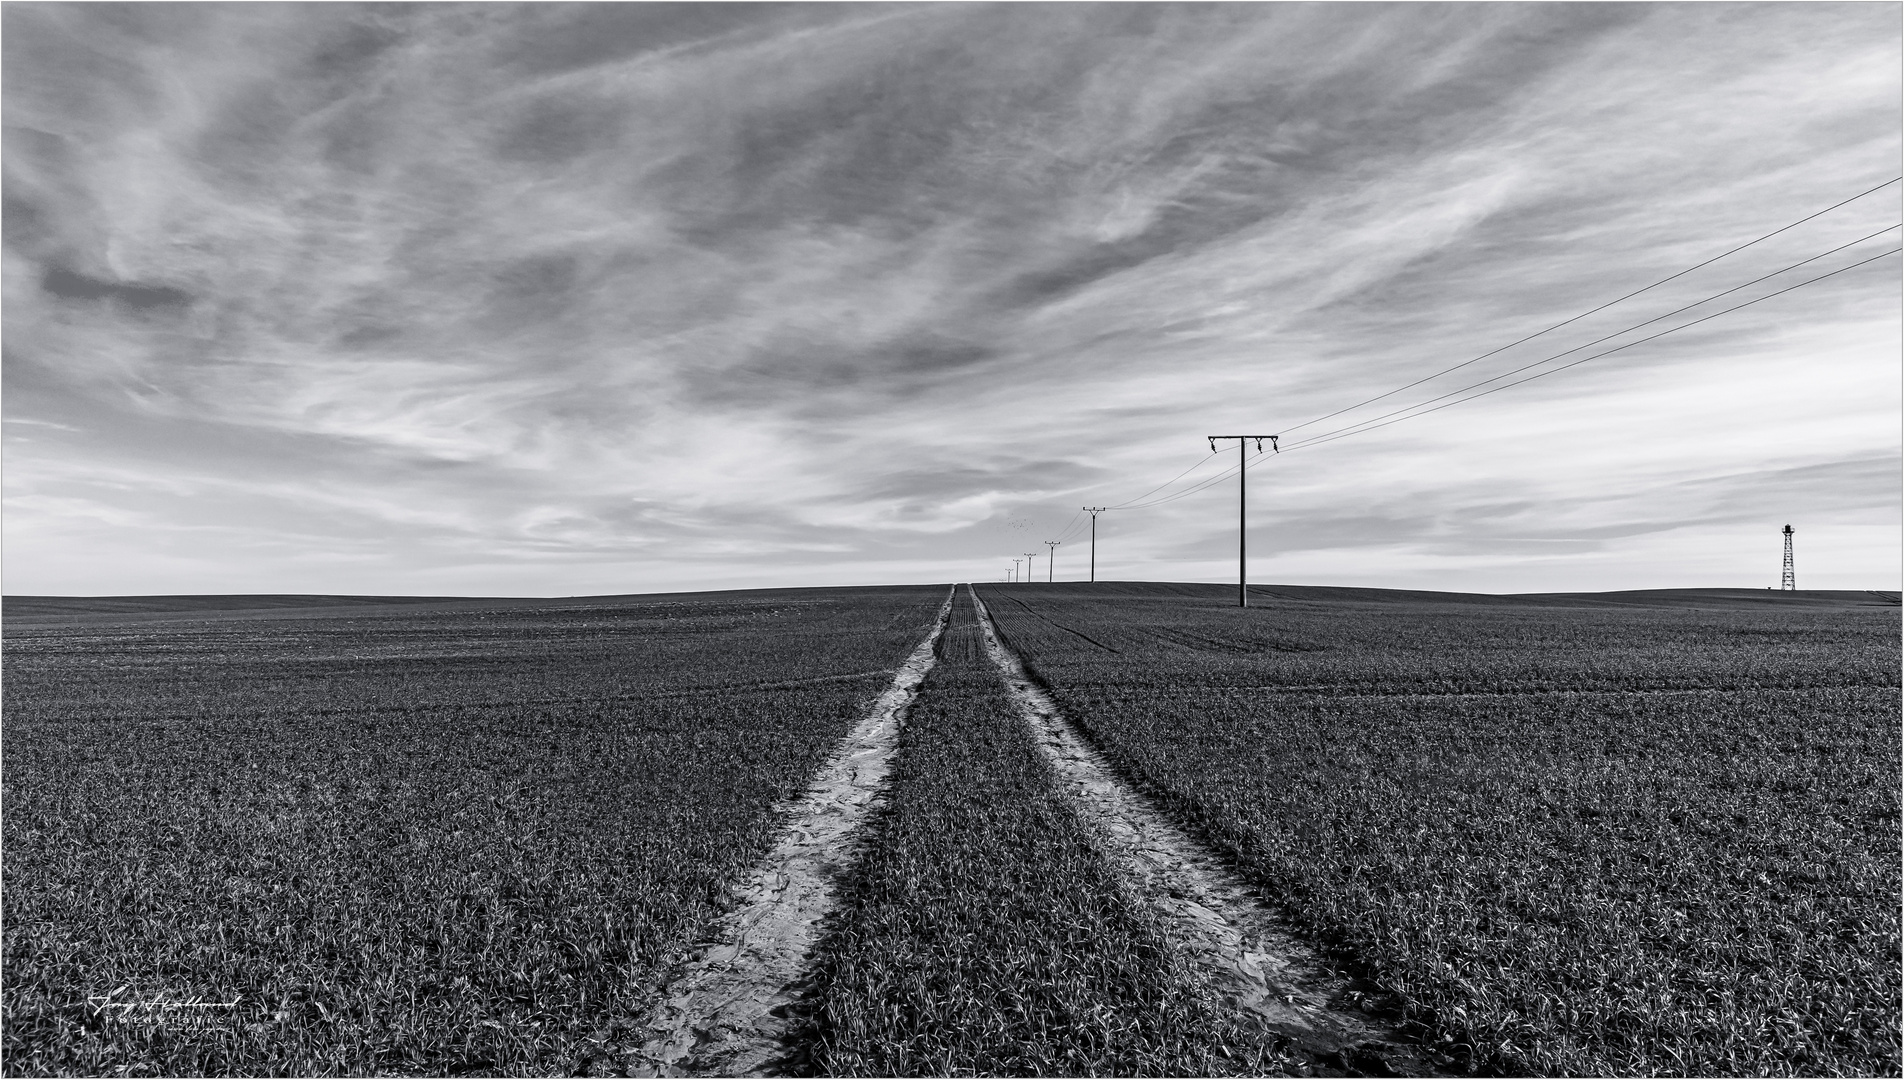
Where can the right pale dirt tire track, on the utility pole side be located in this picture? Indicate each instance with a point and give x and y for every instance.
(1263, 969)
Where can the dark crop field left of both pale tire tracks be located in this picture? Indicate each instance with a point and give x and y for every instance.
(435, 845)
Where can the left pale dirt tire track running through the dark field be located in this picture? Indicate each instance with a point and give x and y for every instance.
(724, 1016)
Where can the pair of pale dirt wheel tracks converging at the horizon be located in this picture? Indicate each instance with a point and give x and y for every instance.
(728, 1012)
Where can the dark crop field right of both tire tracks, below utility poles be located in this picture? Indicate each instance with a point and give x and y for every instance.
(1579, 841)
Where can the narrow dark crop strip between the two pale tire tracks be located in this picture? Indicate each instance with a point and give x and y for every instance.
(985, 934)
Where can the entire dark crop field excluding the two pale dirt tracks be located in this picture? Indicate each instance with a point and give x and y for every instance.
(1549, 835)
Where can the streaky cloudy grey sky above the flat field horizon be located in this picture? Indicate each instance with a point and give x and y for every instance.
(620, 298)
